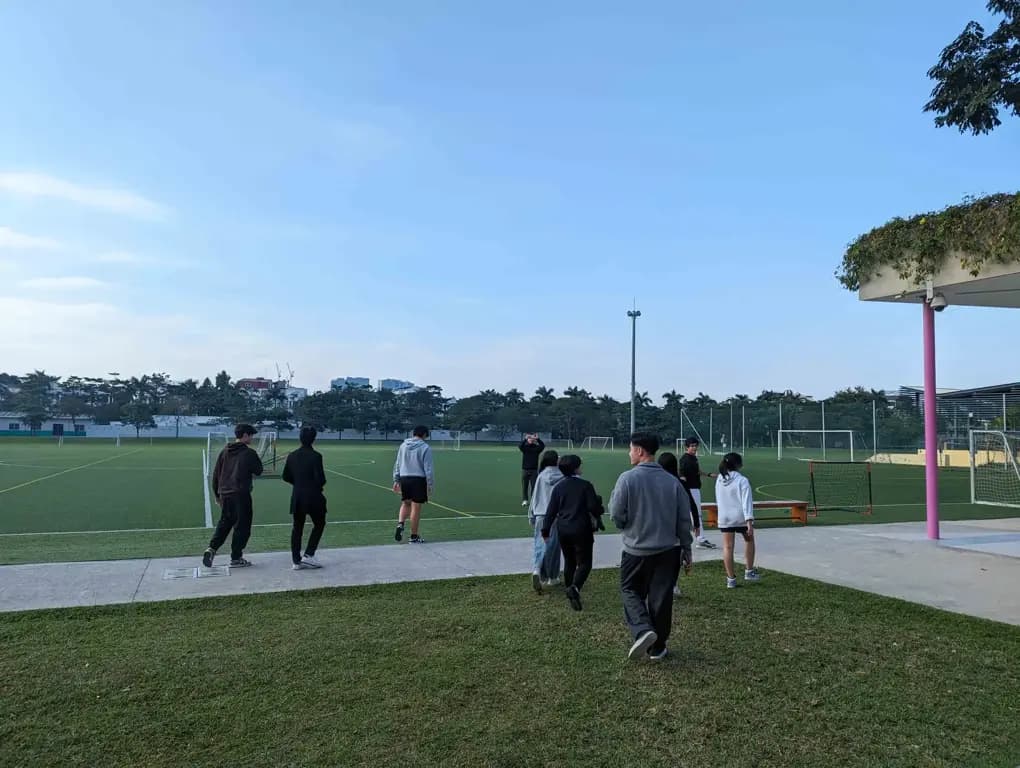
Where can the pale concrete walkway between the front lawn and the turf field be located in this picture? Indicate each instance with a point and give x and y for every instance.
(975, 570)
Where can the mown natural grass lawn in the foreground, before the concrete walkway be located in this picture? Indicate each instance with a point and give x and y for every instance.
(483, 673)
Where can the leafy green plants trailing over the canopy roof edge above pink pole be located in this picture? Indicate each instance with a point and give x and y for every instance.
(986, 230)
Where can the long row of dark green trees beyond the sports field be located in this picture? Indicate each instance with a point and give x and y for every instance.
(575, 414)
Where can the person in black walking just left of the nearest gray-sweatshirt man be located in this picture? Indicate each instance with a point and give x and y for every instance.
(577, 511)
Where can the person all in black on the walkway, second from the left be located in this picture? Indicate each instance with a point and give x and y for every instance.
(304, 472)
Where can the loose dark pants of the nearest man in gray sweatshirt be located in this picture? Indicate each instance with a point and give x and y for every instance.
(647, 587)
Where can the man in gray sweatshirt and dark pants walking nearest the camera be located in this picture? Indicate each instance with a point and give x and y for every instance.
(652, 510)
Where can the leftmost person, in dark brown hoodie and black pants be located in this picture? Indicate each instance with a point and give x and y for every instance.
(233, 478)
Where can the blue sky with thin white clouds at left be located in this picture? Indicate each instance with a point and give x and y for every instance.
(472, 196)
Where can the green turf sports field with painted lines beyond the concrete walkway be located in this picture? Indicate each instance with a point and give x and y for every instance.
(61, 501)
